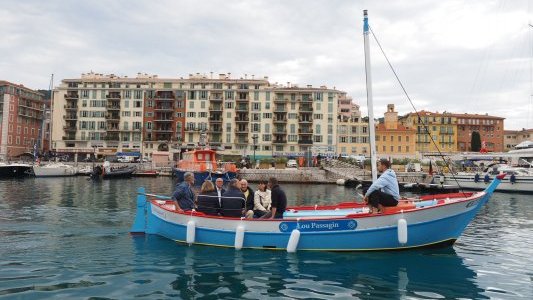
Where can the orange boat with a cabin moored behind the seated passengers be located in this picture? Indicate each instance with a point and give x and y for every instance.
(204, 166)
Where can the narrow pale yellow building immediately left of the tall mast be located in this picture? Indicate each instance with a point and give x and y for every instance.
(352, 131)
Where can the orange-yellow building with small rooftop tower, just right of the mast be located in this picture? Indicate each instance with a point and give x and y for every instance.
(393, 139)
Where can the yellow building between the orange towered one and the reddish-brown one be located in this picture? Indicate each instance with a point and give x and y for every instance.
(434, 131)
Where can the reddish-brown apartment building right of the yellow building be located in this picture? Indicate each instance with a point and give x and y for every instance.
(490, 129)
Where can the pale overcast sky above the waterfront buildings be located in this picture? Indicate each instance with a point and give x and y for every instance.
(457, 56)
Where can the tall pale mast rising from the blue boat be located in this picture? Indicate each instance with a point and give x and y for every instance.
(370, 104)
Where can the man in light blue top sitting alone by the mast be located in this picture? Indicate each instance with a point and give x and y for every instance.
(384, 191)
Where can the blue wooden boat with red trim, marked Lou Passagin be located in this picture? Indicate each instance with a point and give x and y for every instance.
(436, 221)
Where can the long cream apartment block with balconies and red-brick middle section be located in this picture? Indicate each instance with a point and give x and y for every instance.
(105, 114)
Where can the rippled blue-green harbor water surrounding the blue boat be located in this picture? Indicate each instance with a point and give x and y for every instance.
(67, 238)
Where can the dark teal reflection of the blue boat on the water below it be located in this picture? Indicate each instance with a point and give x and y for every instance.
(203, 271)
